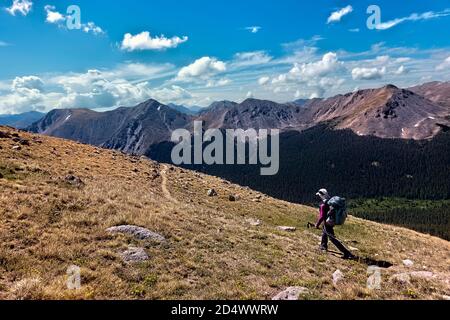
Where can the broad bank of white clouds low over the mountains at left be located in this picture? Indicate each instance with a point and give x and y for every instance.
(94, 89)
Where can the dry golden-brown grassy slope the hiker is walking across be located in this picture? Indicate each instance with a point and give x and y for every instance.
(47, 225)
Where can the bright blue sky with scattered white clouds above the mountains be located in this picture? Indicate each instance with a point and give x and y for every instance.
(196, 52)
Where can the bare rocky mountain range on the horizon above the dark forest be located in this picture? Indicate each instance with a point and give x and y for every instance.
(417, 113)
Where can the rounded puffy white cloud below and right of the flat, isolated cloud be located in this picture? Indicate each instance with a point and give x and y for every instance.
(202, 68)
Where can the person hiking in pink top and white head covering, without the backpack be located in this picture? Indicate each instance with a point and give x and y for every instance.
(328, 217)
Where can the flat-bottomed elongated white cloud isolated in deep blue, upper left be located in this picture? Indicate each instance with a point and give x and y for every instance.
(144, 41)
